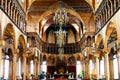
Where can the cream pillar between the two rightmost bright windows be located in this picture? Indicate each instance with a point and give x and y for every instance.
(107, 66)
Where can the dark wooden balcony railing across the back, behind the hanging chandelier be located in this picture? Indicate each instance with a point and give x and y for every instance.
(68, 48)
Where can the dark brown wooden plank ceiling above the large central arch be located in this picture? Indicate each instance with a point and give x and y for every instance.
(40, 6)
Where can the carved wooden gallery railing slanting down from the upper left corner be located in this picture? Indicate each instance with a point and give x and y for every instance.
(15, 13)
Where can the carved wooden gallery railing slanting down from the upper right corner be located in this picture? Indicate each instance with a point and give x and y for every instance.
(105, 12)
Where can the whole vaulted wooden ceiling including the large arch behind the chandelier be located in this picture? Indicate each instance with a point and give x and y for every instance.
(79, 13)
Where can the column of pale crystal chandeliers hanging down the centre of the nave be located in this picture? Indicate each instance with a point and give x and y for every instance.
(60, 18)
